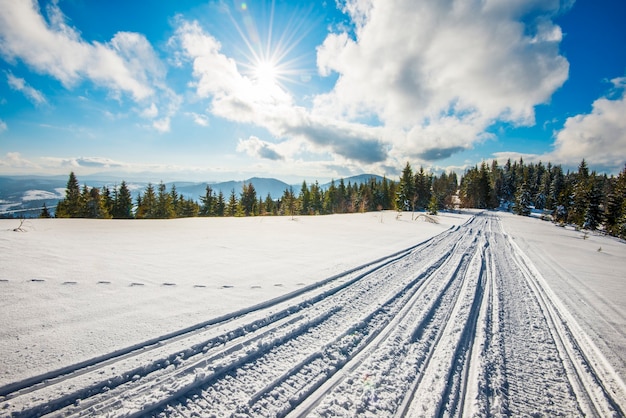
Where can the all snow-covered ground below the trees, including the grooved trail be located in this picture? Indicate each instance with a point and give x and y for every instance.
(364, 314)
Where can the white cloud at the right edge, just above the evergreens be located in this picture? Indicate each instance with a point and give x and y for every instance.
(599, 137)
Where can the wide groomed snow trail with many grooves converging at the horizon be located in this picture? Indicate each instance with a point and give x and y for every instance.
(460, 325)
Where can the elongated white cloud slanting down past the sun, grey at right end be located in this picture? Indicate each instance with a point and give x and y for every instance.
(237, 97)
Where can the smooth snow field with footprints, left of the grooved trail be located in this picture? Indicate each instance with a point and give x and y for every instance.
(76, 289)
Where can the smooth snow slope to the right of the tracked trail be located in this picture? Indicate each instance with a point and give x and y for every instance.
(588, 273)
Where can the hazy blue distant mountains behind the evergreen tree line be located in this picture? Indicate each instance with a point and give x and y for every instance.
(26, 195)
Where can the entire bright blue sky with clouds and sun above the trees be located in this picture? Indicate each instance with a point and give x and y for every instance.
(223, 90)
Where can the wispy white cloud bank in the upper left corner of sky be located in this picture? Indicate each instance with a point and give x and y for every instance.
(49, 46)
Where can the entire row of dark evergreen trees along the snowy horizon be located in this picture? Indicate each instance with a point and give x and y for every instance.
(582, 198)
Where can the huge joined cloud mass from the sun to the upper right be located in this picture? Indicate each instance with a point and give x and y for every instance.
(424, 93)
